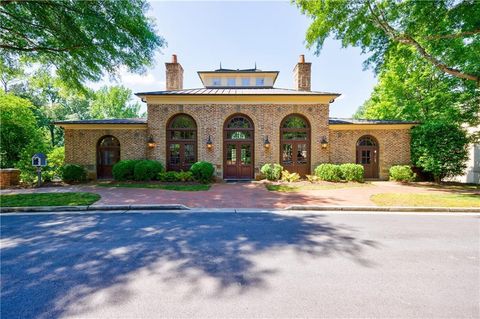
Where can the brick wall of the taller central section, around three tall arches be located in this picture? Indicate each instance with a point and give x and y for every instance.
(266, 118)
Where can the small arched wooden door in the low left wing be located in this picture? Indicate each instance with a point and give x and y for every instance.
(108, 154)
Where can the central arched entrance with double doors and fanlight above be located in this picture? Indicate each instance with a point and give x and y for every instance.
(238, 147)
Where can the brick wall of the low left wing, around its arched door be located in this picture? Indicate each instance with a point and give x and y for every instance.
(81, 146)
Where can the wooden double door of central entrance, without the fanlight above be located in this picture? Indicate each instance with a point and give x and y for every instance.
(238, 160)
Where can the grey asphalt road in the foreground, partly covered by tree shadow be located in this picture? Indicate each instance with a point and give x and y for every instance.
(239, 265)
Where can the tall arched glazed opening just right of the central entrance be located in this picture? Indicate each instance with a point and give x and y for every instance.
(295, 141)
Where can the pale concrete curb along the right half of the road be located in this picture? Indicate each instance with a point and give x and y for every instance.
(386, 209)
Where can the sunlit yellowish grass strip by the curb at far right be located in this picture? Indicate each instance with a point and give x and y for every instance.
(427, 200)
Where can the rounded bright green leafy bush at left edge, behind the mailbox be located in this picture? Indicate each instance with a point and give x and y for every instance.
(18, 130)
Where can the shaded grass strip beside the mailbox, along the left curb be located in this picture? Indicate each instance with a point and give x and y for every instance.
(48, 199)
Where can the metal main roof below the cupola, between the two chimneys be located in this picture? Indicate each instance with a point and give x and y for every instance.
(236, 91)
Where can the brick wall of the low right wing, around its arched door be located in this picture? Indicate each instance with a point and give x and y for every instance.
(394, 147)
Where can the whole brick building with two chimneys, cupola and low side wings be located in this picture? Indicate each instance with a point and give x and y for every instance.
(238, 121)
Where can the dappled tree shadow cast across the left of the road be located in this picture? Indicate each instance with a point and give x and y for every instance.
(52, 262)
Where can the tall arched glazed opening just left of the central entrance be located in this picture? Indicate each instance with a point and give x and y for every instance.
(181, 142)
